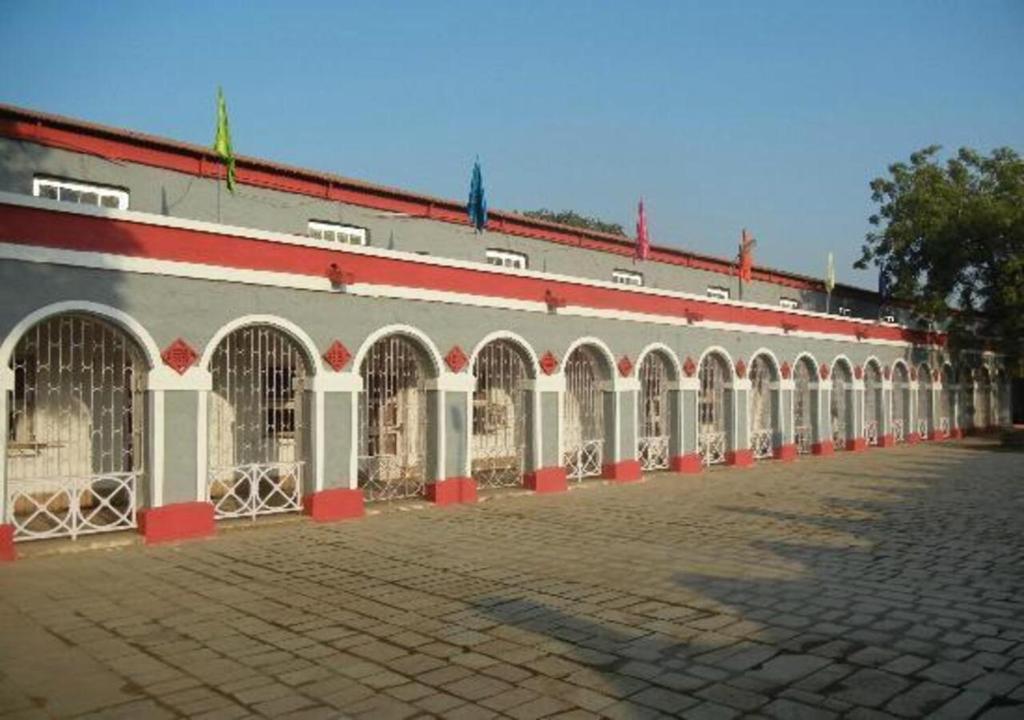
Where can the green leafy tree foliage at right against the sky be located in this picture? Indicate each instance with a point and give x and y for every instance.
(951, 239)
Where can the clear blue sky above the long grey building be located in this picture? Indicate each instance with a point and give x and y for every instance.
(773, 116)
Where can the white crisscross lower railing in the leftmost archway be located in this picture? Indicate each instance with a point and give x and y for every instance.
(51, 507)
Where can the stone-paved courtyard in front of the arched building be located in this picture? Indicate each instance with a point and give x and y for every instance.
(867, 586)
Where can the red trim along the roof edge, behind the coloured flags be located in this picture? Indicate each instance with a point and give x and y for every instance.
(119, 145)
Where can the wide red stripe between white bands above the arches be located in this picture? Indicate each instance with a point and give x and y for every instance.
(32, 227)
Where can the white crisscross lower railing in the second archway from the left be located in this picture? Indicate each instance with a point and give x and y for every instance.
(255, 489)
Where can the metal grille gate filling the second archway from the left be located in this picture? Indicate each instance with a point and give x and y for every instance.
(258, 423)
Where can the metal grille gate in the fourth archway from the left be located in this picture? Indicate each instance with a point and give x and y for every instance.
(499, 416)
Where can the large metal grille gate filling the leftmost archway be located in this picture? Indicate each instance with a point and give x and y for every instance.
(76, 430)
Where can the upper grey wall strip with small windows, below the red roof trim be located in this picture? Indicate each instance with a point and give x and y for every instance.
(179, 195)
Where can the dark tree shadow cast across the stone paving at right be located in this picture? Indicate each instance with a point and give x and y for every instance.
(913, 604)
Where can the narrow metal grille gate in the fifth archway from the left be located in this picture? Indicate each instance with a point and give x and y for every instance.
(584, 421)
